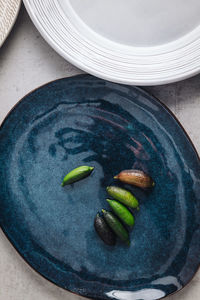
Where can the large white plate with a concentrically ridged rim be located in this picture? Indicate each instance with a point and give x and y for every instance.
(145, 42)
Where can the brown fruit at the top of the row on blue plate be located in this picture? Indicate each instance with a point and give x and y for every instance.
(136, 177)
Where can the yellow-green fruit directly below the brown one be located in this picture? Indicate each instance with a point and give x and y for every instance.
(123, 196)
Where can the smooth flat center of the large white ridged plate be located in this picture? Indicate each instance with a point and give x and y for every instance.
(136, 23)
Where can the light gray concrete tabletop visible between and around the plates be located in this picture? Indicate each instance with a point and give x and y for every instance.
(26, 62)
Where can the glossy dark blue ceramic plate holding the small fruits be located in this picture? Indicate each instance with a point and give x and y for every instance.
(88, 121)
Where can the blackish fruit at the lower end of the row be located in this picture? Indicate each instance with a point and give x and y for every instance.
(104, 231)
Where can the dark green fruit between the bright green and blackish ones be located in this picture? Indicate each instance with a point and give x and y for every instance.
(116, 226)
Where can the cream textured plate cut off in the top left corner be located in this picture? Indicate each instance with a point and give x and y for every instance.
(8, 13)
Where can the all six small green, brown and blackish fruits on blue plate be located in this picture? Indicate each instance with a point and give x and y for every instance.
(111, 225)
